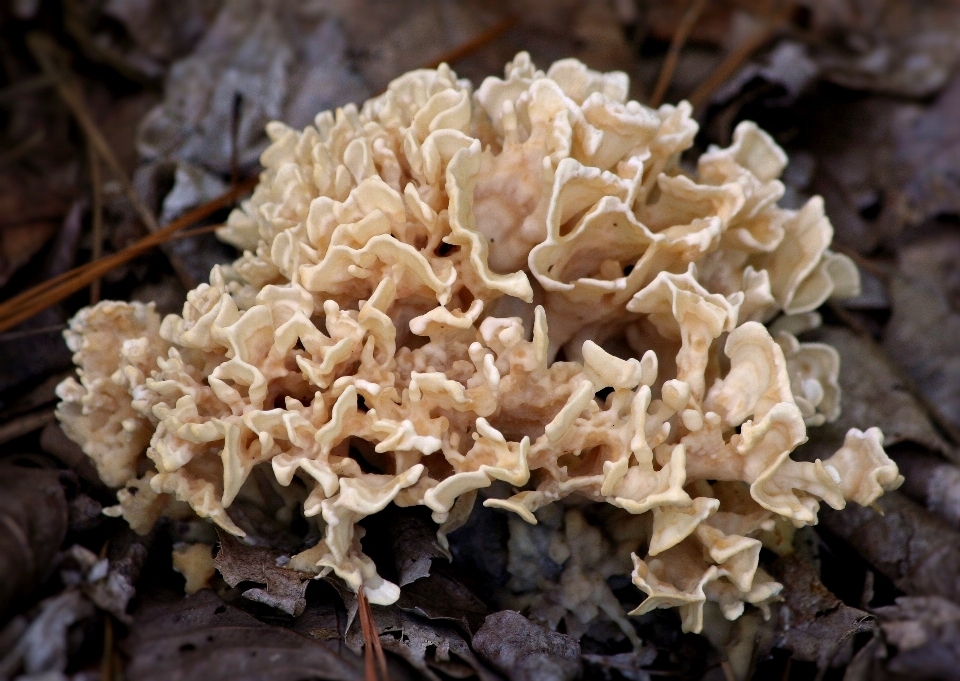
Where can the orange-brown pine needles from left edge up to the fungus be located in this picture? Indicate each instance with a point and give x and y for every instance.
(38, 298)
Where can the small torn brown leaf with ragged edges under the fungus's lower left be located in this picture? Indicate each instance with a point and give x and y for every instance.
(283, 588)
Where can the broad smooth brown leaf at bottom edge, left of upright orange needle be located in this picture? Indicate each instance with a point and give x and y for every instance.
(203, 638)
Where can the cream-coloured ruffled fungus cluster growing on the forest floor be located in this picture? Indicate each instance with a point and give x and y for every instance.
(525, 283)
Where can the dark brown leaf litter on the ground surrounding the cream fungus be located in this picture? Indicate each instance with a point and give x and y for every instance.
(863, 95)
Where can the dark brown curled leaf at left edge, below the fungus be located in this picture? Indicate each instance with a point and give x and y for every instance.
(33, 523)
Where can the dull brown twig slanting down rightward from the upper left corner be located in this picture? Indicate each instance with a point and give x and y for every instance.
(44, 49)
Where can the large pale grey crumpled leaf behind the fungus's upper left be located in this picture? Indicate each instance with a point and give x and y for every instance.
(282, 61)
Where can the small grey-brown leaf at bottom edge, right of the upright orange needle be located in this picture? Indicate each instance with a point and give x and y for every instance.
(526, 651)
